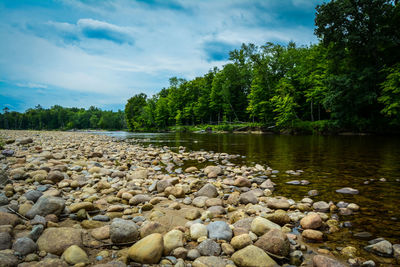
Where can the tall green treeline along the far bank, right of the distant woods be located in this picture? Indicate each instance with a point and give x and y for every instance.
(350, 80)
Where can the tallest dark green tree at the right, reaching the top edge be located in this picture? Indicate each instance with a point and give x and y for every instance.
(362, 38)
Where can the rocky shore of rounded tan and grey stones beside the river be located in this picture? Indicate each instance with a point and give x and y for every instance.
(77, 199)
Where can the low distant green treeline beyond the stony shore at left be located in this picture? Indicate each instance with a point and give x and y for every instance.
(58, 117)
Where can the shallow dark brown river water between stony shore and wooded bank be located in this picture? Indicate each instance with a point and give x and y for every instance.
(328, 162)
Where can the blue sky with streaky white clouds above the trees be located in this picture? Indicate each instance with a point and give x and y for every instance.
(82, 53)
